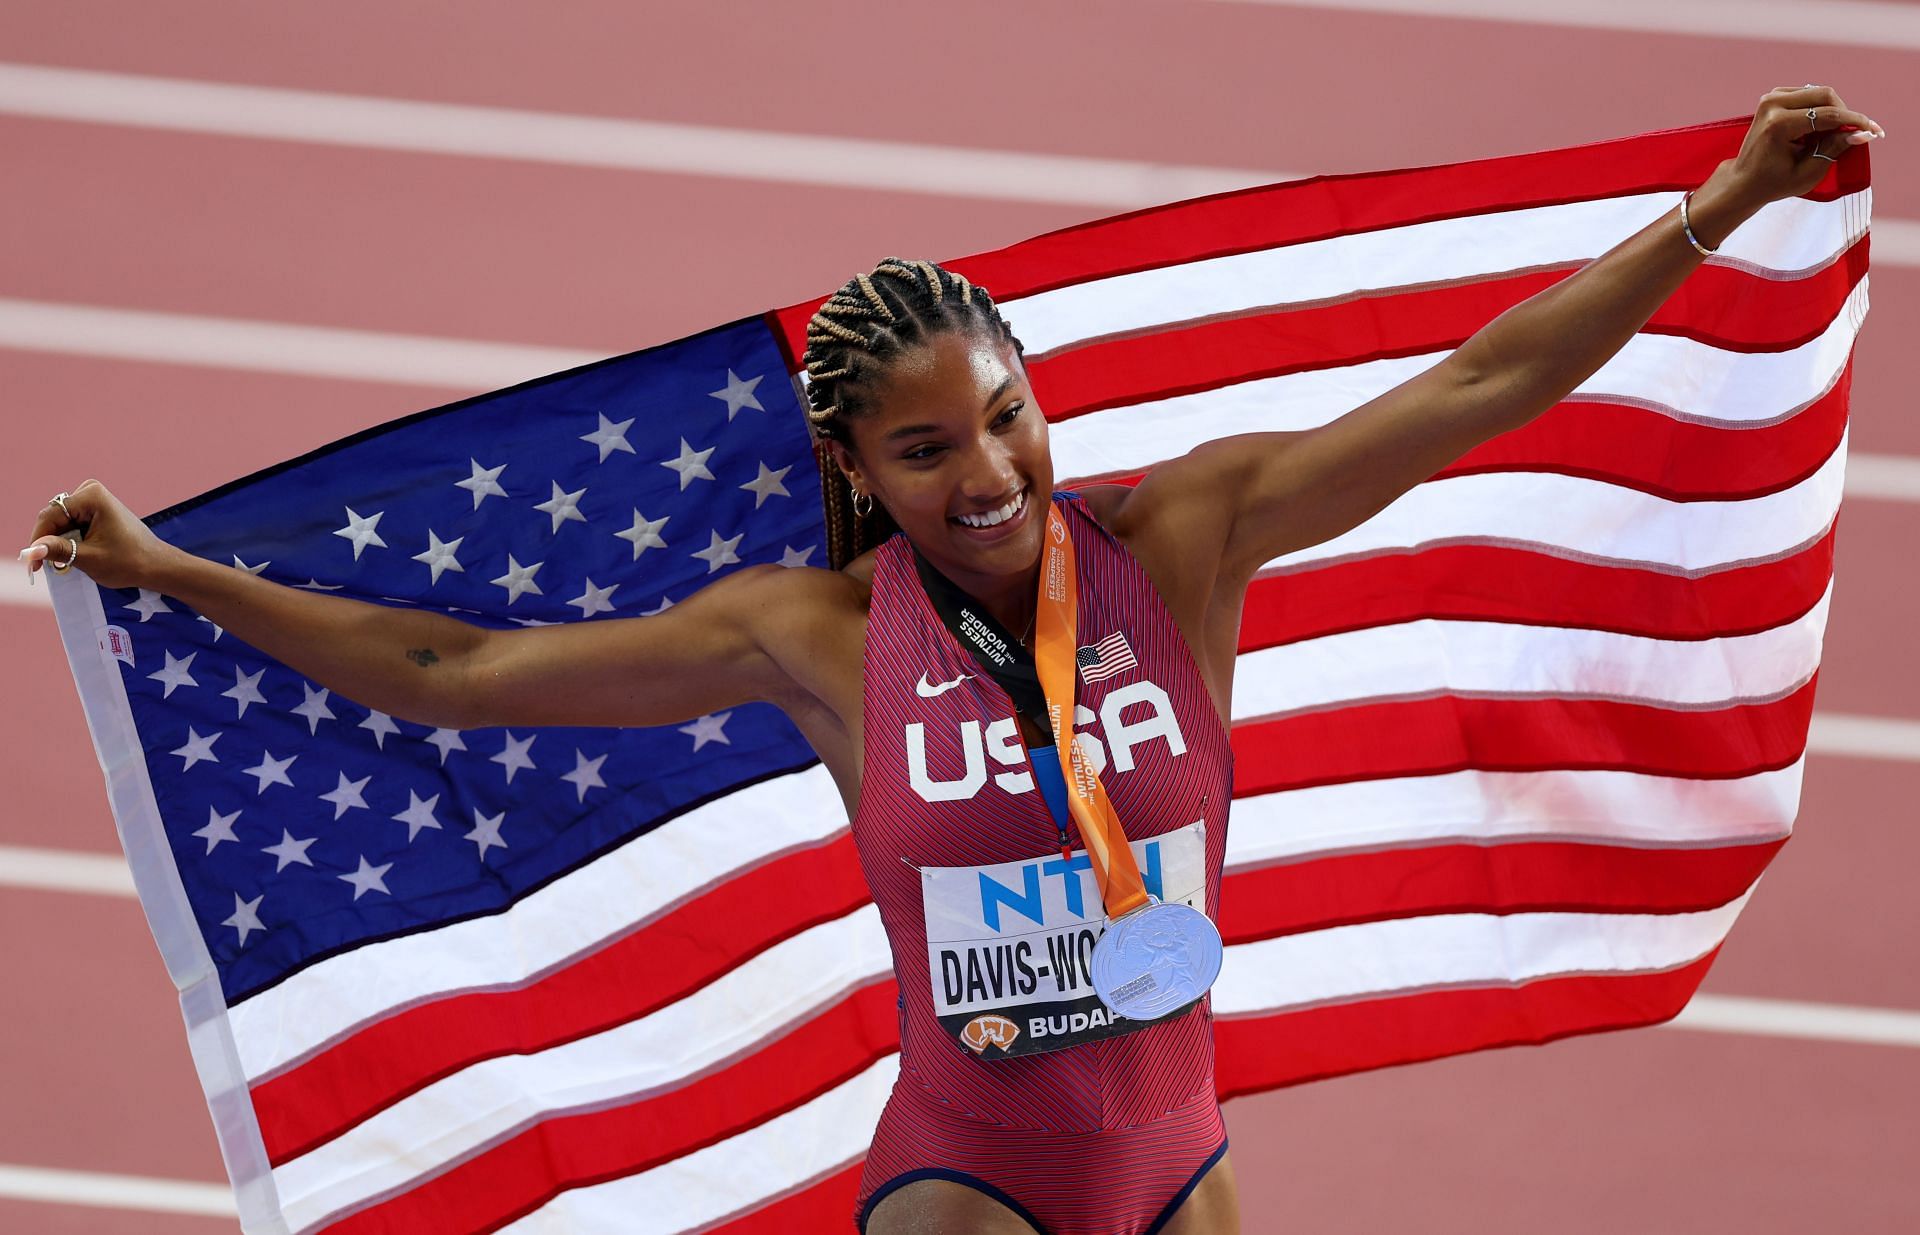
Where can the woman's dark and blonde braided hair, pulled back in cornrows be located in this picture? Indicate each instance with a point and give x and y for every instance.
(852, 343)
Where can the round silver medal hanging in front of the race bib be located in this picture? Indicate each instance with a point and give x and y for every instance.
(1155, 961)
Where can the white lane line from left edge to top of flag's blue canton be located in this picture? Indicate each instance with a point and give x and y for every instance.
(266, 347)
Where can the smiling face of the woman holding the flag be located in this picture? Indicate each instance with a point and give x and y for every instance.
(957, 452)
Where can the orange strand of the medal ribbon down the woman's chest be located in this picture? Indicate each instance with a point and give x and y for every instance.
(1053, 650)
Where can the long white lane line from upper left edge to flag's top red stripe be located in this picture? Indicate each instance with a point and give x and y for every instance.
(592, 141)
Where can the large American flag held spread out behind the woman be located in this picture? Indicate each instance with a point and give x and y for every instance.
(1510, 758)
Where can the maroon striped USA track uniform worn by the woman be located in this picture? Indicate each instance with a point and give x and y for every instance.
(1103, 1136)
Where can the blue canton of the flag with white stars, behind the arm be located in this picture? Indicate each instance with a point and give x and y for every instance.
(302, 823)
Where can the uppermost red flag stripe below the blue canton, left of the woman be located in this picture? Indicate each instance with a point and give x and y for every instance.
(633, 977)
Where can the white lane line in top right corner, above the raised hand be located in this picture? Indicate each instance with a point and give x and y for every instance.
(1856, 24)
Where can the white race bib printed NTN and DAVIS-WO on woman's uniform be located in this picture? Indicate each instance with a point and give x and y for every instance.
(1011, 946)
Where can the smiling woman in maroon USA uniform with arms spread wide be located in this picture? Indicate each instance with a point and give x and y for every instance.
(926, 425)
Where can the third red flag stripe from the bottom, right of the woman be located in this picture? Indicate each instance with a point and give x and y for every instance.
(1452, 735)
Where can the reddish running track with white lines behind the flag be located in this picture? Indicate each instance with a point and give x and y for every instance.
(1781, 1103)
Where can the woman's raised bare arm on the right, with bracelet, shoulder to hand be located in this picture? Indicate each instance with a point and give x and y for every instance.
(1291, 491)
